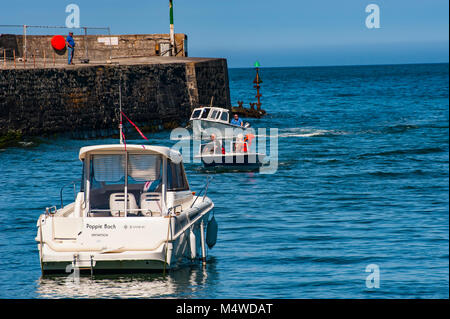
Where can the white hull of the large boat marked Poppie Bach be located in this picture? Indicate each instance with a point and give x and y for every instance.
(139, 244)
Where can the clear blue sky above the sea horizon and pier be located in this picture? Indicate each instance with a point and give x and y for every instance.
(277, 33)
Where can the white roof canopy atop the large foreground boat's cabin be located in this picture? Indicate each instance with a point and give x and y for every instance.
(167, 152)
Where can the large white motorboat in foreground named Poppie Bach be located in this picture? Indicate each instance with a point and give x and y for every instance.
(134, 212)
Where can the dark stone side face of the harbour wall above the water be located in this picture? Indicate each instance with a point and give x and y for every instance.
(83, 100)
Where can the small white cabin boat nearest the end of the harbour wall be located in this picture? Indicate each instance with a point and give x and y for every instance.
(208, 120)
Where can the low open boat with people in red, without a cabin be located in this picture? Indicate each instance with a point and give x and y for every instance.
(234, 153)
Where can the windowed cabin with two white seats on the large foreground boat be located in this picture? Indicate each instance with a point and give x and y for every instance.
(131, 181)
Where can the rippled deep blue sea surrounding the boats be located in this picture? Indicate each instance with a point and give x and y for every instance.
(363, 178)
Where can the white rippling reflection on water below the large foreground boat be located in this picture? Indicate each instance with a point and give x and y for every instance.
(180, 283)
